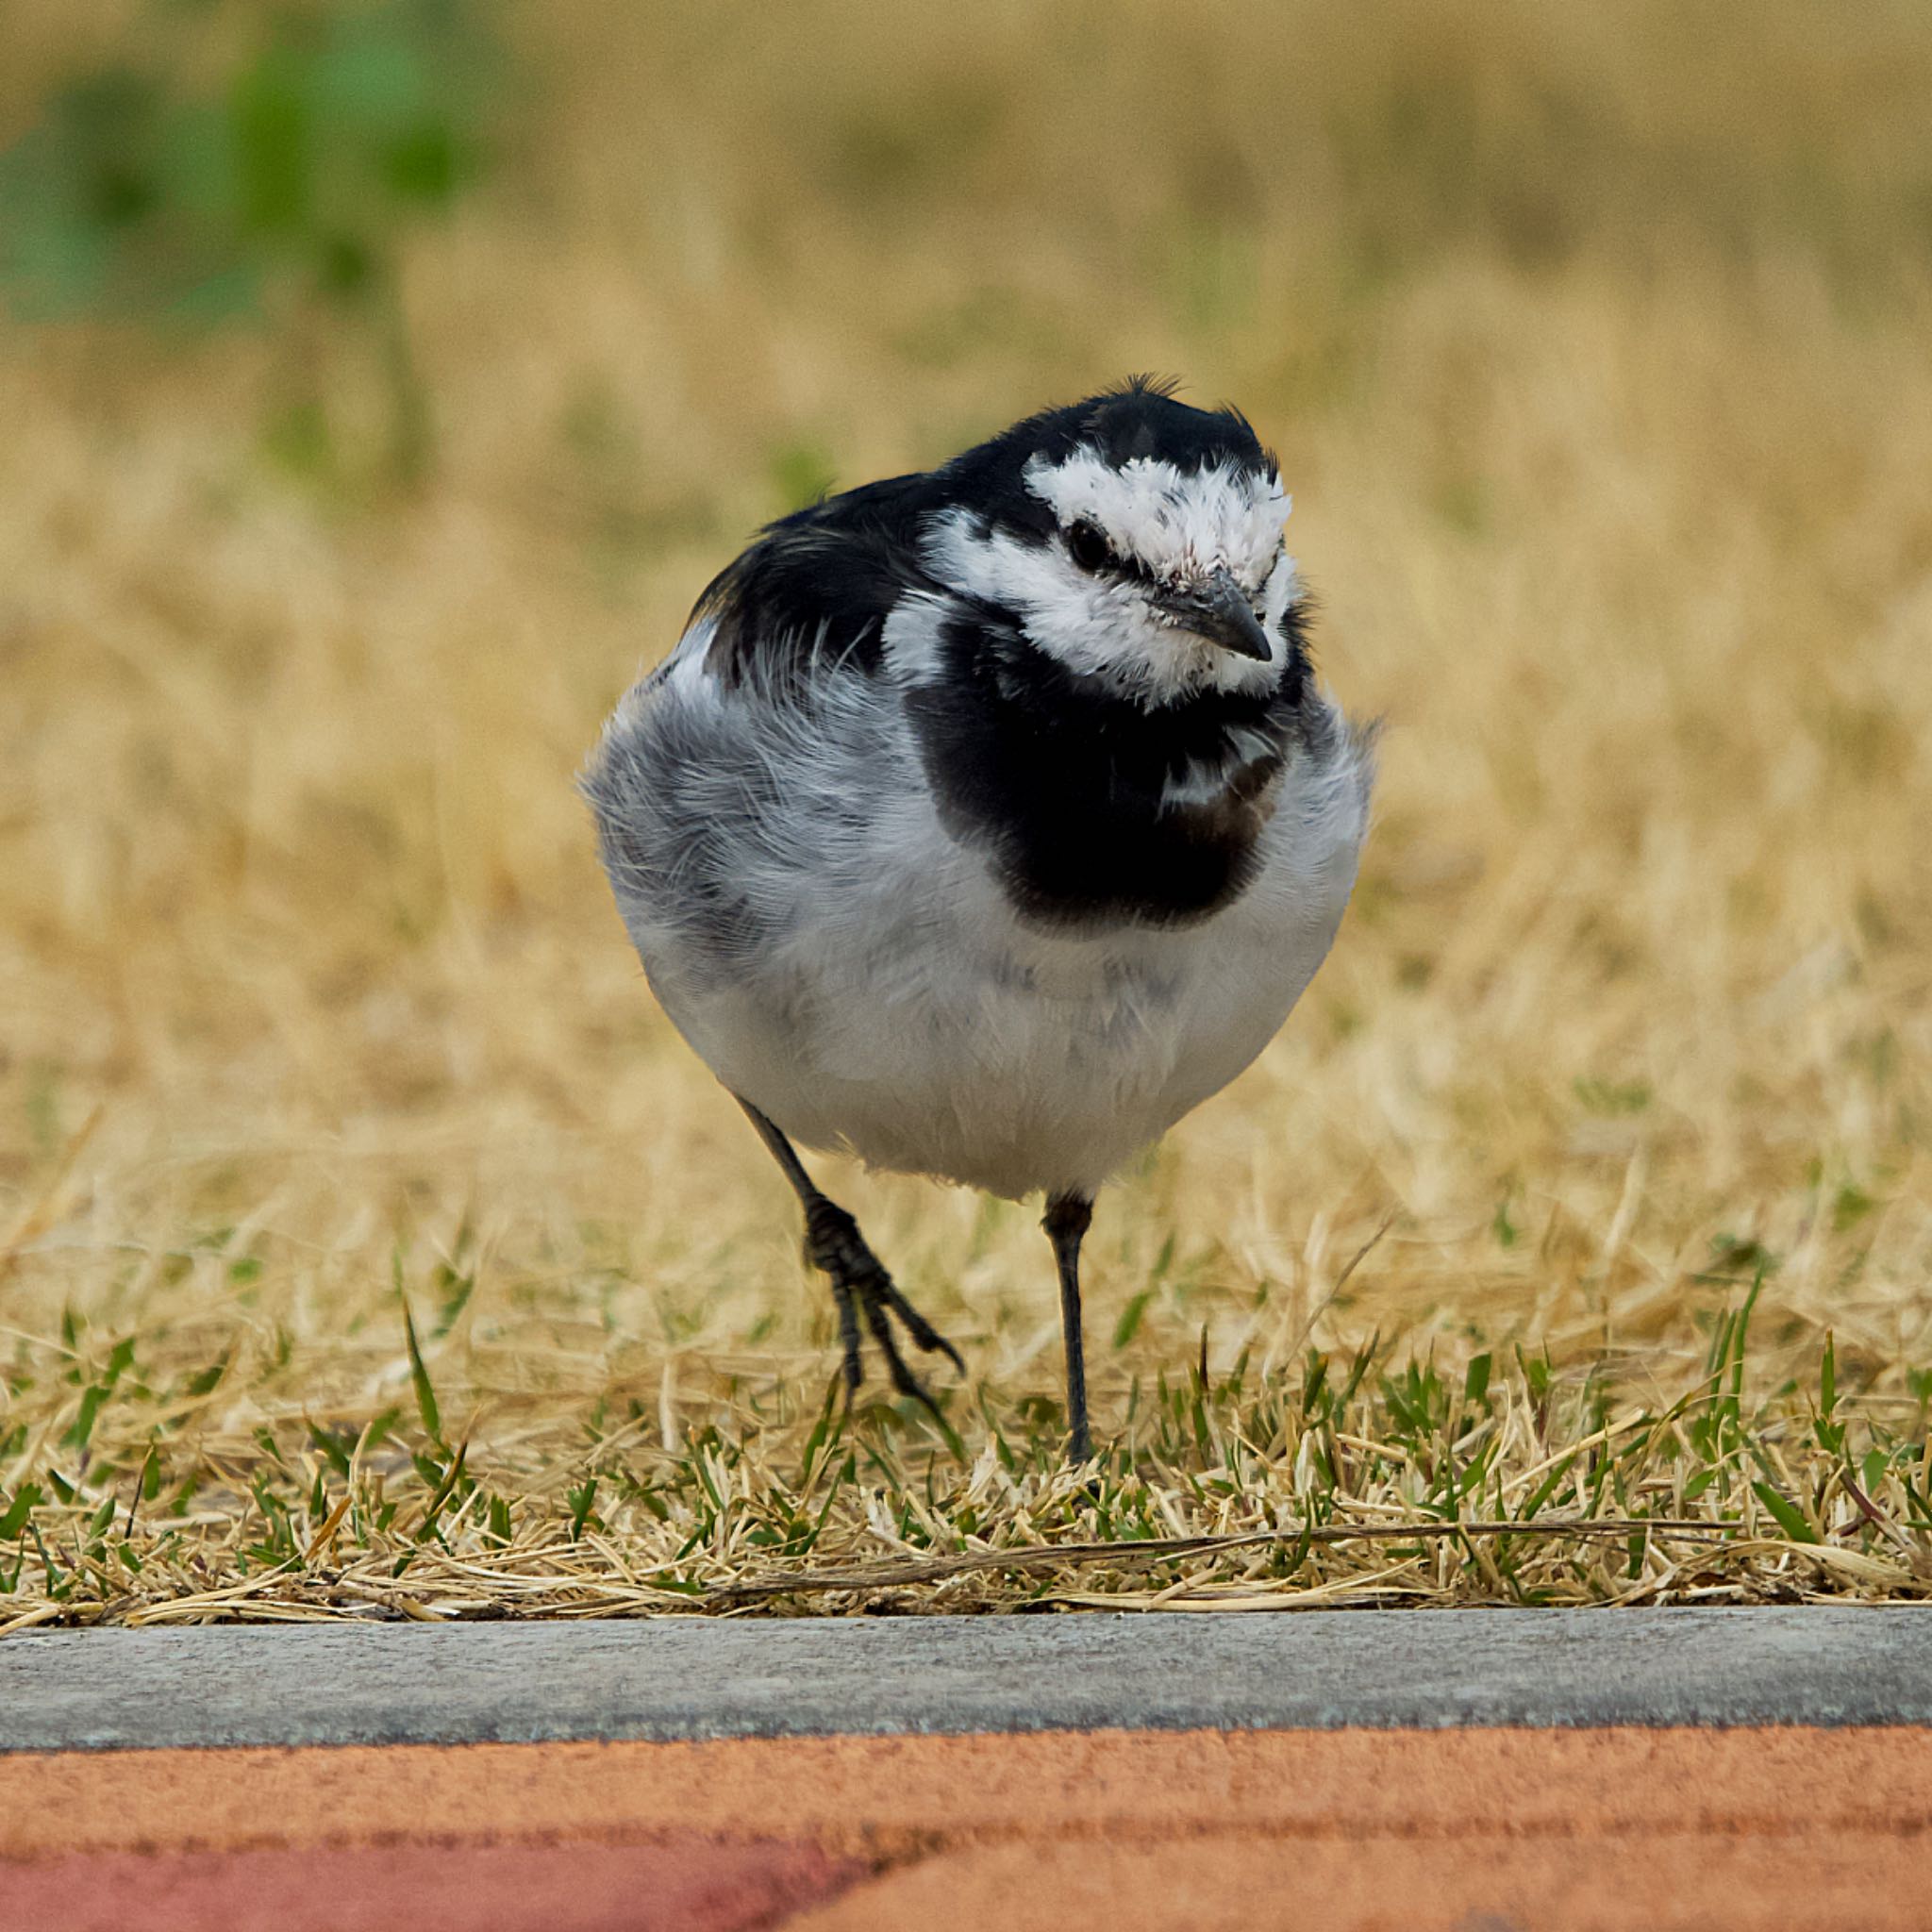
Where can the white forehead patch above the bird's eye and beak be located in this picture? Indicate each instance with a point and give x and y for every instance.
(1178, 525)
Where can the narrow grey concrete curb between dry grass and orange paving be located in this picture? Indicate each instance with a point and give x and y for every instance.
(693, 1680)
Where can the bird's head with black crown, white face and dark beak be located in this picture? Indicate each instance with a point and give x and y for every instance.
(1135, 540)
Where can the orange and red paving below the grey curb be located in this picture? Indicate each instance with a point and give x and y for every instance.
(1458, 1831)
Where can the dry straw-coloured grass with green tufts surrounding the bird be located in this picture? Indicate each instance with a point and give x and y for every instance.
(382, 384)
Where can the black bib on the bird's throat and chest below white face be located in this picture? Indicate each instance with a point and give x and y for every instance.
(1064, 783)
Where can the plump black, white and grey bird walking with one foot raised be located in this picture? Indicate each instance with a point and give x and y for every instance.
(986, 820)
